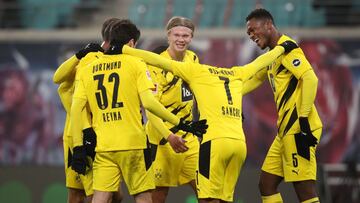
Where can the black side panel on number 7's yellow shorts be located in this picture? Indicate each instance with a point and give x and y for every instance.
(204, 159)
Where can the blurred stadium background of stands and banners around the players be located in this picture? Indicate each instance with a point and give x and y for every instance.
(37, 35)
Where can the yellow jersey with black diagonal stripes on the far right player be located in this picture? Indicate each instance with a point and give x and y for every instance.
(283, 75)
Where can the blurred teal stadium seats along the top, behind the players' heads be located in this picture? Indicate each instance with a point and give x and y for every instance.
(220, 13)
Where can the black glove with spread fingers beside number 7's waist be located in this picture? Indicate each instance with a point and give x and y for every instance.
(197, 128)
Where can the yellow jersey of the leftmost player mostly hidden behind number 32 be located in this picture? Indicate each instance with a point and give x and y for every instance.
(66, 95)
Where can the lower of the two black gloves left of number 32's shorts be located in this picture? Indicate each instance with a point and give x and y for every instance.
(79, 160)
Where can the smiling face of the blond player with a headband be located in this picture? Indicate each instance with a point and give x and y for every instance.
(179, 38)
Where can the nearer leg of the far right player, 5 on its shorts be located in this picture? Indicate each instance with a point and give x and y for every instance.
(302, 171)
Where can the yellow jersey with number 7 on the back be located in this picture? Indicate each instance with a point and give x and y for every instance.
(218, 93)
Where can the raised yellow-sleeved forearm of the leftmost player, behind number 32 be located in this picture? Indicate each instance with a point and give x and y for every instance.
(66, 70)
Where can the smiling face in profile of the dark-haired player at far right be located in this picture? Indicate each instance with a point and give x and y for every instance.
(259, 31)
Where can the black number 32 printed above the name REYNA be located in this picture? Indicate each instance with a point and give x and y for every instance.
(101, 96)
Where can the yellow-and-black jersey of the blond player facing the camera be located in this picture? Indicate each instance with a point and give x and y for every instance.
(174, 94)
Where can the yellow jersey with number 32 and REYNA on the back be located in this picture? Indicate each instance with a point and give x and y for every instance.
(111, 85)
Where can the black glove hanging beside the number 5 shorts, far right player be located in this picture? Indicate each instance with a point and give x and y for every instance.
(305, 139)
